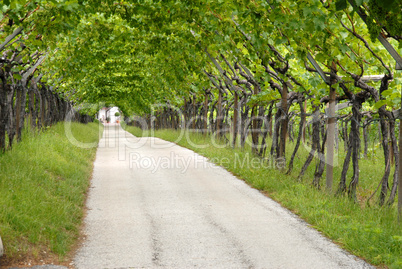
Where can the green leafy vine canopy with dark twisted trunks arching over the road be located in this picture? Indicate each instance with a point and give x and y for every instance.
(237, 69)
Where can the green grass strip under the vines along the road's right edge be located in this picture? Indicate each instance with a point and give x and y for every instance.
(370, 232)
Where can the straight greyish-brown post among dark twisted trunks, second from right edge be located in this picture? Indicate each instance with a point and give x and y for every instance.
(330, 138)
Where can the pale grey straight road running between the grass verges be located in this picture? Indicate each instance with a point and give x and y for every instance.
(147, 209)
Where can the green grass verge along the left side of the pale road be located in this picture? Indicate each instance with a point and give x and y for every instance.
(43, 185)
